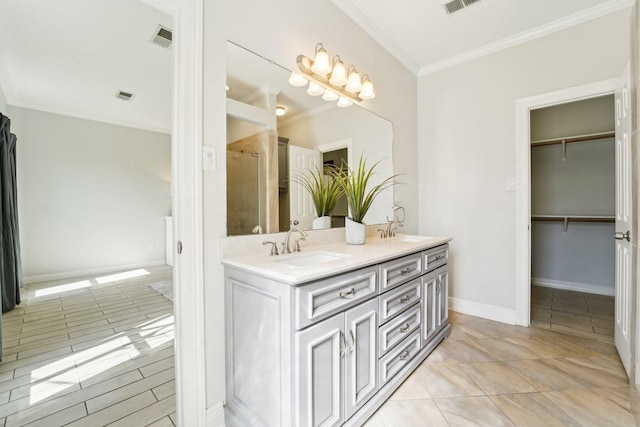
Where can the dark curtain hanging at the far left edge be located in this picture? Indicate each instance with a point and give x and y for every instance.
(10, 263)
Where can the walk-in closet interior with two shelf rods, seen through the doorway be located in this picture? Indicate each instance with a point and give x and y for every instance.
(573, 211)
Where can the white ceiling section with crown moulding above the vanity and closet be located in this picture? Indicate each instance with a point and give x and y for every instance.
(421, 35)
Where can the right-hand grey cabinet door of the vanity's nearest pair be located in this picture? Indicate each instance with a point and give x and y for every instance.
(361, 379)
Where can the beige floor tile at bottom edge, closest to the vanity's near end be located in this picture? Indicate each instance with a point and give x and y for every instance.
(411, 413)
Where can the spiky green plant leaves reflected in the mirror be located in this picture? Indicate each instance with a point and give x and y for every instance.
(325, 190)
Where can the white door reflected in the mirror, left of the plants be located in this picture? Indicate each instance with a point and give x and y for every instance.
(301, 208)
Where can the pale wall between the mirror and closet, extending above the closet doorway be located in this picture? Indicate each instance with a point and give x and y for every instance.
(467, 149)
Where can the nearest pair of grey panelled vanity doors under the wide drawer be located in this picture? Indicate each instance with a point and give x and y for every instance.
(336, 366)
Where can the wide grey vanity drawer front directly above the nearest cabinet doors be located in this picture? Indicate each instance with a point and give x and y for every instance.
(321, 299)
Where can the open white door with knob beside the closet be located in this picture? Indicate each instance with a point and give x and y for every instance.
(624, 214)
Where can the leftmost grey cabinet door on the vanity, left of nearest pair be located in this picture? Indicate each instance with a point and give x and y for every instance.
(319, 372)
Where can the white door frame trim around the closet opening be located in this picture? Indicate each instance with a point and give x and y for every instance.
(523, 176)
